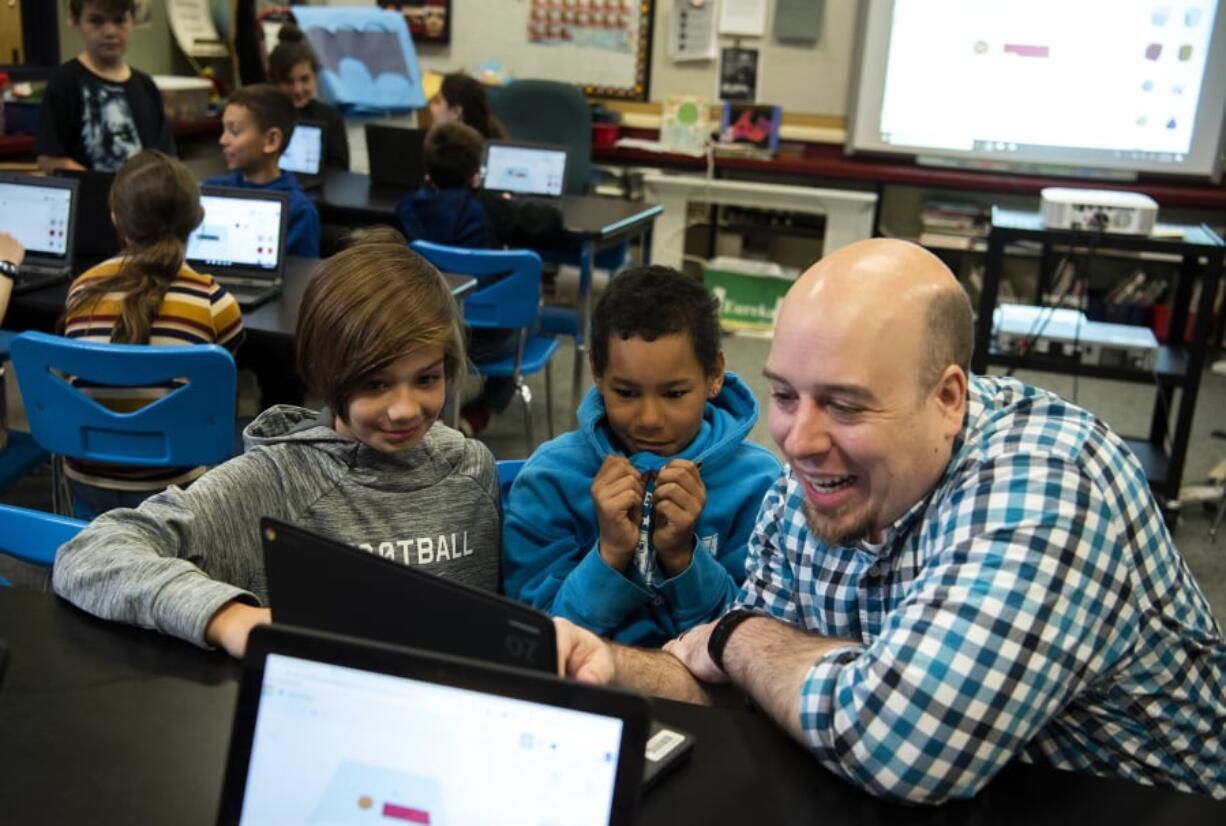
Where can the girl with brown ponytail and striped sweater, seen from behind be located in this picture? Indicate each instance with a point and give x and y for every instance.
(147, 296)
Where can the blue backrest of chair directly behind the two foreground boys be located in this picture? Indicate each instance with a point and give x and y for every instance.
(508, 282)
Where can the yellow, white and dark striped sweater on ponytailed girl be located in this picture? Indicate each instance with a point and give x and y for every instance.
(196, 311)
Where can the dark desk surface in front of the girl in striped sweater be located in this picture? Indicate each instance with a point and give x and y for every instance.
(276, 319)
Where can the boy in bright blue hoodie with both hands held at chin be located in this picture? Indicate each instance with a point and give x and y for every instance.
(636, 526)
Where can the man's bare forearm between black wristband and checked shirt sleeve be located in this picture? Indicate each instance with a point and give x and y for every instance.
(771, 661)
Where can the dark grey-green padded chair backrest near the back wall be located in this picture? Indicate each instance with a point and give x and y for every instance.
(550, 112)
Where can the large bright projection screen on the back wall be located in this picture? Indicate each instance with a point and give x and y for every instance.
(1109, 84)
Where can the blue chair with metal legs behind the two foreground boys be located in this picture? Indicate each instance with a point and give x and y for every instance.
(508, 296)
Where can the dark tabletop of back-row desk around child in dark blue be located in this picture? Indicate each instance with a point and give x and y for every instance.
(351, 195)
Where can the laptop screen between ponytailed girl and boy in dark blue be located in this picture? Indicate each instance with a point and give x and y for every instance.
(237, 231)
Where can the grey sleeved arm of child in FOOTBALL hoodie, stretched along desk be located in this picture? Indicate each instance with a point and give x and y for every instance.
(175, 562)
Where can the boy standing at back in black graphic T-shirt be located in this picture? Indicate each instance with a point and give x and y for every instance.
(97, 111)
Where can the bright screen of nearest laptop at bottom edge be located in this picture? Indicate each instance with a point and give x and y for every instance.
(339, 745)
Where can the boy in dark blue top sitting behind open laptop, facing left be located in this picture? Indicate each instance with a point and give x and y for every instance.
(257, 127)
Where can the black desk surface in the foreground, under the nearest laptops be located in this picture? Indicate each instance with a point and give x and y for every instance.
(110, 725)
